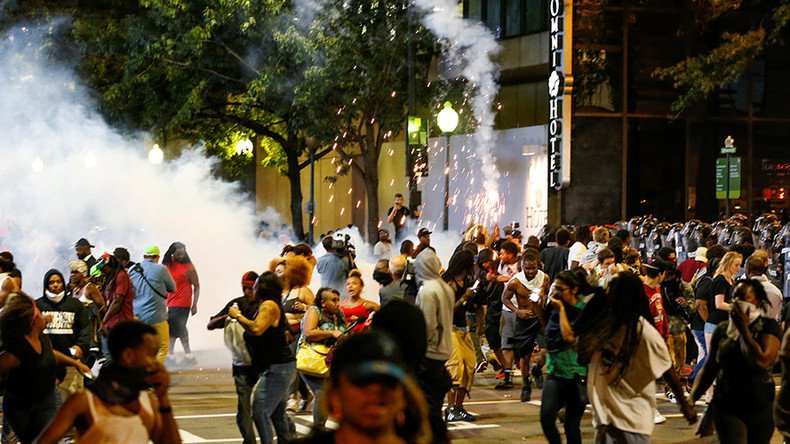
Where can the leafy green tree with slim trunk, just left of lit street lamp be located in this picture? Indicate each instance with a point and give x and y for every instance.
(357, 88)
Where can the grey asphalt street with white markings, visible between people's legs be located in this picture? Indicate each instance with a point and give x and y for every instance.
(204, 402)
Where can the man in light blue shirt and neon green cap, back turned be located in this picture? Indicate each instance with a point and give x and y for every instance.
(152, 282)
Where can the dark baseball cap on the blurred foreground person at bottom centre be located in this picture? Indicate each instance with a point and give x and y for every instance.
(368, 357)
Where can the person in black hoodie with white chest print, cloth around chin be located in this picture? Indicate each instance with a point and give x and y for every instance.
(69, 329)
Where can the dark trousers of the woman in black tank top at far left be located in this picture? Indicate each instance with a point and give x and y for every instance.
(27, 419)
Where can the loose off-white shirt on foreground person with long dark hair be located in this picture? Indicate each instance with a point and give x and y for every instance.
(629, 405)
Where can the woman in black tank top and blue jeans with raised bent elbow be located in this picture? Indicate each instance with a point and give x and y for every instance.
(271, 357)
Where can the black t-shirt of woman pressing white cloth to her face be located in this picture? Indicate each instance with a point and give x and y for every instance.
(741, 387)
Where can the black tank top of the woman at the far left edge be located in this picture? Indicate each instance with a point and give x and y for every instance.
(34, 378)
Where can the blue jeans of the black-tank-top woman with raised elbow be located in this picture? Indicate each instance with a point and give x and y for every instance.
(268, 402)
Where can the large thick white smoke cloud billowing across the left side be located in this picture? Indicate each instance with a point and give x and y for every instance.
(92, 181)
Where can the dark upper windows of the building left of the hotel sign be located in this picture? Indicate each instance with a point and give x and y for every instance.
(509, 18)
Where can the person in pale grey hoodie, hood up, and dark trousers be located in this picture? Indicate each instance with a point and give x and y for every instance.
(435, 299)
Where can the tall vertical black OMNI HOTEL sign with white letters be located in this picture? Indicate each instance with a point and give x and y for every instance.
(560, 88)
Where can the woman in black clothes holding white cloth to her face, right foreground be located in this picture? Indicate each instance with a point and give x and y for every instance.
(743, 351)
